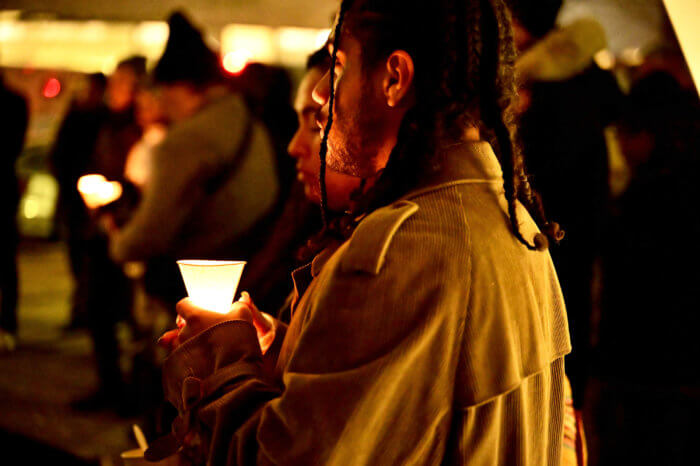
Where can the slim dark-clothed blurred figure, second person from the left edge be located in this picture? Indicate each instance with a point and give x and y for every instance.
(69, 158)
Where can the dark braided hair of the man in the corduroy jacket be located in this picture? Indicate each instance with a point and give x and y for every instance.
(463, 54)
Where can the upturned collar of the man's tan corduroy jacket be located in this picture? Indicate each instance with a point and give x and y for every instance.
(466, 162)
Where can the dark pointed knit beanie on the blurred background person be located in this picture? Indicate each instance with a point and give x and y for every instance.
(186, 57)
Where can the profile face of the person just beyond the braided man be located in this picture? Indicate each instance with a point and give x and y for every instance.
(305, 147)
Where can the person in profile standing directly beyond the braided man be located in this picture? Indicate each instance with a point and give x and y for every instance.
(267, 274)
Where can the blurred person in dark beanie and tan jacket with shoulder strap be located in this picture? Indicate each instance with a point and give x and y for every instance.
(212, 186)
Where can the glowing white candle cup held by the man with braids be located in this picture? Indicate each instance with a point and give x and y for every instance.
(211, 284)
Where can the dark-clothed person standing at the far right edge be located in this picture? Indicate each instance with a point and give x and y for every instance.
(648, 349)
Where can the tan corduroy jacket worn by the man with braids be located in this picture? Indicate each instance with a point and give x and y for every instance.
(432, 336)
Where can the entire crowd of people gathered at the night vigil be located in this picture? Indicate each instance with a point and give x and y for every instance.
(404, 238)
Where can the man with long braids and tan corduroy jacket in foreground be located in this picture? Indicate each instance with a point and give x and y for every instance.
(430, 328)
